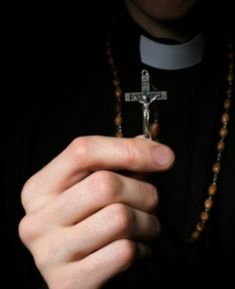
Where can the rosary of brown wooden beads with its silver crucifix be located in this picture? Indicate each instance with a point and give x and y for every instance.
(150, 131)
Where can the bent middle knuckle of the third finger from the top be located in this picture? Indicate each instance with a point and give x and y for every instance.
(122, 219)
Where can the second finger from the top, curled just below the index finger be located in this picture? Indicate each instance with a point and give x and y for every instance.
(97, 191)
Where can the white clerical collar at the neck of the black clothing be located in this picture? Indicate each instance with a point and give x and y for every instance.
(171, 56)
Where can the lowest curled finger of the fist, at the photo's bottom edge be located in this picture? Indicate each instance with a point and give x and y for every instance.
(94, 270)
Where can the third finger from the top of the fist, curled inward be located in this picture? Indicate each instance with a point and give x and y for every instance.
(112, 223)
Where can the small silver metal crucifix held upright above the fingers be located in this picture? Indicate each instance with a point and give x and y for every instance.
(146, 97)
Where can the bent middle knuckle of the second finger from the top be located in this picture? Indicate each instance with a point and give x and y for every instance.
(107, 186)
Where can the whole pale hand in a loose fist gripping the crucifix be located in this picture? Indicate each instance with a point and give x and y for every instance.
(85, 222)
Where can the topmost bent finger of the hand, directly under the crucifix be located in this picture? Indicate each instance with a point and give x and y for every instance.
(88, 154)
